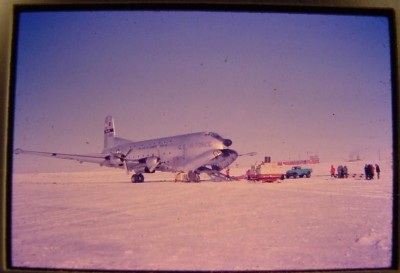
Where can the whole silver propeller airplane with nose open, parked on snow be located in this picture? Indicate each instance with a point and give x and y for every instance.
(192, 154)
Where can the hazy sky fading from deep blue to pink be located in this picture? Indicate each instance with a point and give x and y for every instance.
(283, 85)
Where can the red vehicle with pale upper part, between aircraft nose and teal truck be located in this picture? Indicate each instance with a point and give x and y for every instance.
(266, 172)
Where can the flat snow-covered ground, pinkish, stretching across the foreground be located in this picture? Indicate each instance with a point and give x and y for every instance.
(99, 220)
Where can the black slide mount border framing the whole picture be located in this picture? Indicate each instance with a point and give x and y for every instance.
(9, 18)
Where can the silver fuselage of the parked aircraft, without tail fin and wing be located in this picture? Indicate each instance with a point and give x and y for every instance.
(180, 153)
